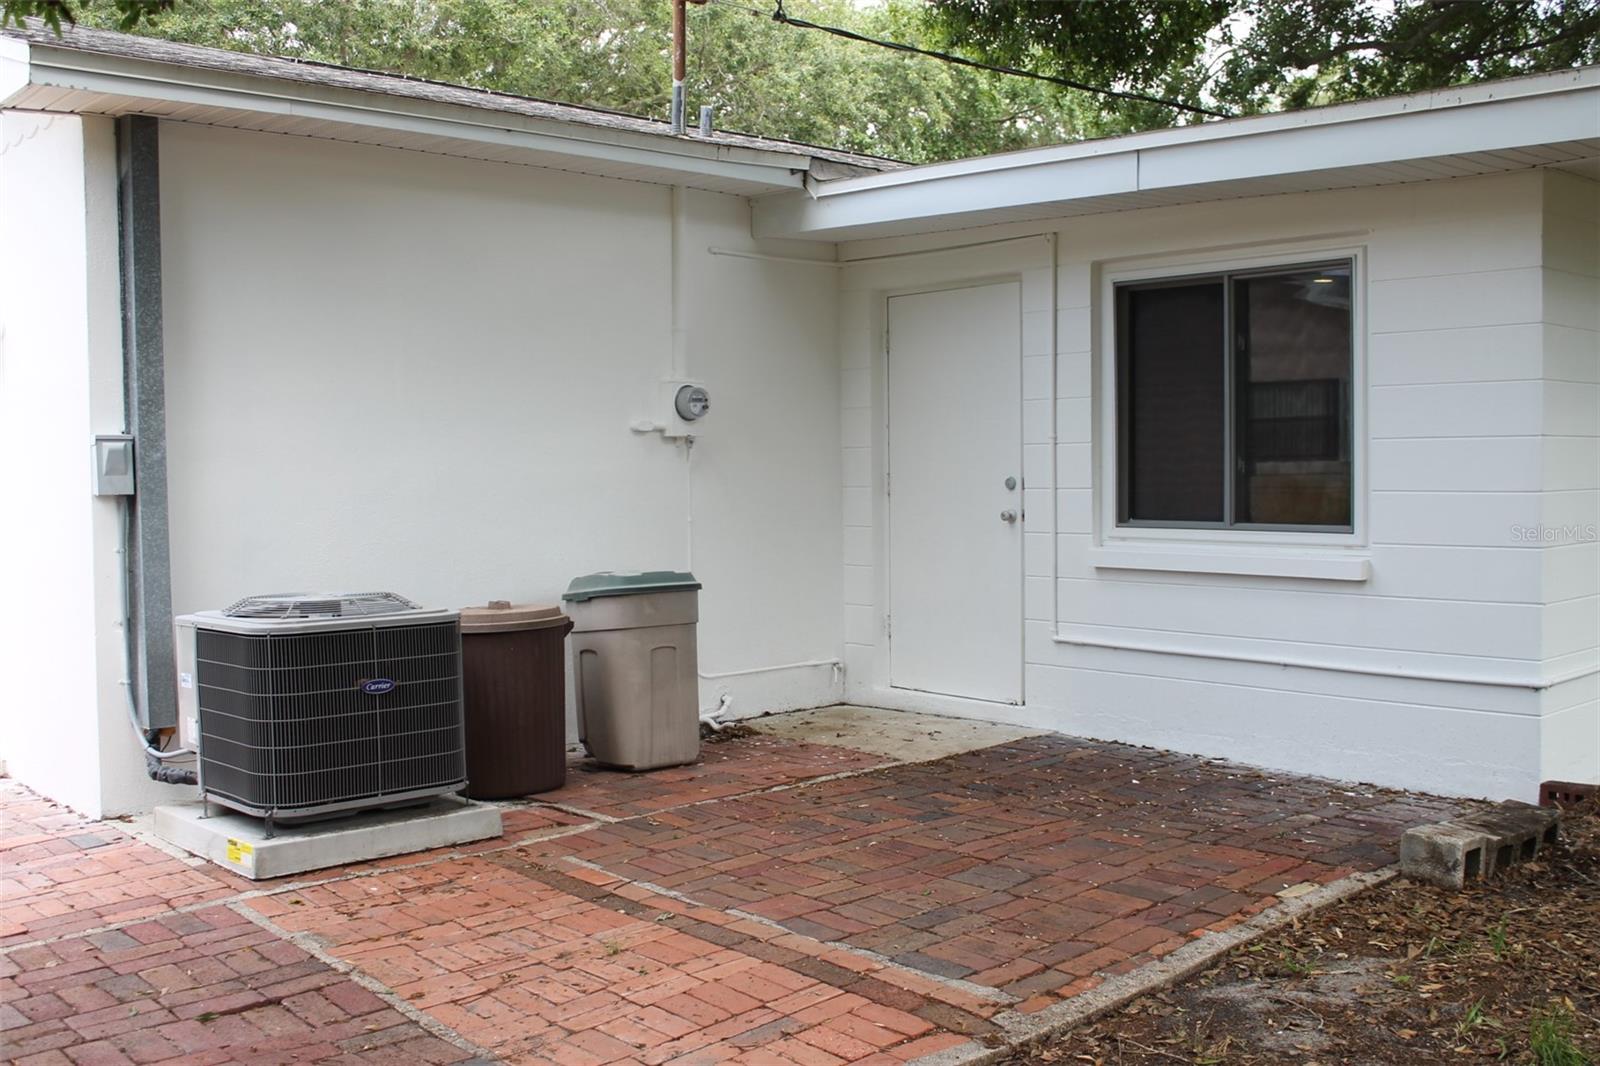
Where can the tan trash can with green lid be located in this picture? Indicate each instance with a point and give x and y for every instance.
(636, 667)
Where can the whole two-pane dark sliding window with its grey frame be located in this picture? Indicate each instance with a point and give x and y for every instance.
(1234, 399)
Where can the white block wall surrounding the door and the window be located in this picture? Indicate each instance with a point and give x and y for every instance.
(1431, 673)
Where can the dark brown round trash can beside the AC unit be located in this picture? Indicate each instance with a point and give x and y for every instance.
(514, 687)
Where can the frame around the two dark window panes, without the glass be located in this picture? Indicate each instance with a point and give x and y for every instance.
(1110, 406)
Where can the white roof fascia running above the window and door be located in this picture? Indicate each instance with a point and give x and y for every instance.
(1489, 118)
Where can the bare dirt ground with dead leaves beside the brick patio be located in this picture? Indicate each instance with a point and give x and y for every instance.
(1406, 976)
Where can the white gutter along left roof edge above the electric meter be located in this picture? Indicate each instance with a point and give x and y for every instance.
(135, 82)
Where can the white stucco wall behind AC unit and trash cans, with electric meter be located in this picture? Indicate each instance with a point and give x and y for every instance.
(406, 372)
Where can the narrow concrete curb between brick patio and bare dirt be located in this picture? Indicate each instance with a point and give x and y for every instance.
(1020, 1030)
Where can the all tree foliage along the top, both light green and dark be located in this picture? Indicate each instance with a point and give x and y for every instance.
(785, 82)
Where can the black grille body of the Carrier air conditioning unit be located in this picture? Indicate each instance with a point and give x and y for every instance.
(303, 723)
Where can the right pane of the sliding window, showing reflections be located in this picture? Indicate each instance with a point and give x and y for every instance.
(1292, 369)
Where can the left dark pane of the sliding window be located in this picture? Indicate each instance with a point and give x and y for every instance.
(1172, 388)
